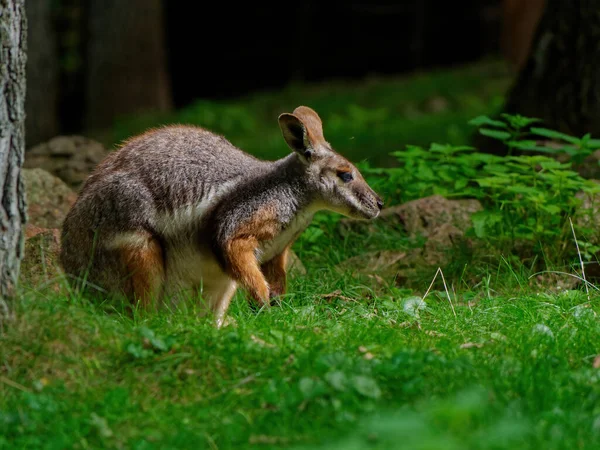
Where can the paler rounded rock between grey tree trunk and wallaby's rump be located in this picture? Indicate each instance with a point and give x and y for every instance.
(48, 198)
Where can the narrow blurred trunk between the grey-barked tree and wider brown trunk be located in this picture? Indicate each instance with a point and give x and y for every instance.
(41, 104)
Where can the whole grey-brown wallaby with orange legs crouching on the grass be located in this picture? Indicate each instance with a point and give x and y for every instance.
(180, 209)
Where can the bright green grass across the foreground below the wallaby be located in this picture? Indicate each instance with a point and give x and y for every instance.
(361, 371)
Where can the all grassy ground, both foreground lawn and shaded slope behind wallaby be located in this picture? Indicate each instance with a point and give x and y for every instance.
(489, 358)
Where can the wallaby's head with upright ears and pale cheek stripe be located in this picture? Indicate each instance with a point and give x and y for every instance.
(339, 184)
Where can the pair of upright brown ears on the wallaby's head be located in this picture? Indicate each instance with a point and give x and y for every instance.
(302, 130)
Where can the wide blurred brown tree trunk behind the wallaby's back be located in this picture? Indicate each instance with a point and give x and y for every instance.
(127, 62)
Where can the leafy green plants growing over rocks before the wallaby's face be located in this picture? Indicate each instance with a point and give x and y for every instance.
(526, 198)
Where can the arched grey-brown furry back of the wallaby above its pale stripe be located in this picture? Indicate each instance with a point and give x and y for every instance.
(176, 165)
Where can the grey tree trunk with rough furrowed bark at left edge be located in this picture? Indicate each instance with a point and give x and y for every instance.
(13, 56)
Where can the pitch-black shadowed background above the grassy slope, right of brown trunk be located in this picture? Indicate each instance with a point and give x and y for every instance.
(235, 48)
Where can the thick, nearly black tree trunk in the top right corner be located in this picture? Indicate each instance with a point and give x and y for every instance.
(560, 82)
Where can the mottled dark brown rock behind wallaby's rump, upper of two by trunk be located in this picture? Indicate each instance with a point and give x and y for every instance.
(71, 158)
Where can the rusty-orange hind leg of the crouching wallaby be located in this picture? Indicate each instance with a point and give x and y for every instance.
(142, 257)
